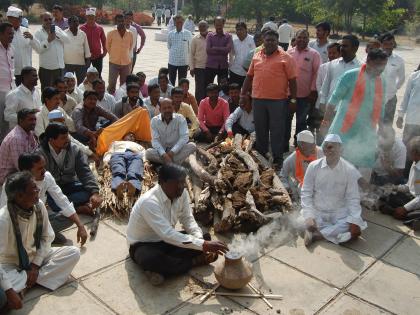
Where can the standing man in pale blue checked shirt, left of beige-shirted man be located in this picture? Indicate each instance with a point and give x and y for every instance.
(179, 41)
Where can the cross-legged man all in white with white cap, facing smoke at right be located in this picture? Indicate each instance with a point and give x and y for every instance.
(330, 197)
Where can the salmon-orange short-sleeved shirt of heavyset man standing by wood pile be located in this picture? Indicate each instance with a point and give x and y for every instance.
(271, 74)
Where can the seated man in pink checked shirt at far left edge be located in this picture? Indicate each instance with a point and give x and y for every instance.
(20, 139)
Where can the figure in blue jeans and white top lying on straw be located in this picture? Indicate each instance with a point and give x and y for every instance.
(125, 158)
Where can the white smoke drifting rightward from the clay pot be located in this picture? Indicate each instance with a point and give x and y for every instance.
(278, 232)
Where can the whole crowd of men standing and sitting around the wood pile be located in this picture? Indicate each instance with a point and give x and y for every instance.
(344, 138)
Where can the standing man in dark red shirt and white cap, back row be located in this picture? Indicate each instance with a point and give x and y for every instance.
(96, 39)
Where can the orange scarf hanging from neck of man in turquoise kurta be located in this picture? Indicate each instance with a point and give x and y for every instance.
(357, 99)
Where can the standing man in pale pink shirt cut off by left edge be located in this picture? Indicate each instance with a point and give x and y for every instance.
(6, 73)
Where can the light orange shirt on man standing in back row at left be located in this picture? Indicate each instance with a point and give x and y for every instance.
(119, 48)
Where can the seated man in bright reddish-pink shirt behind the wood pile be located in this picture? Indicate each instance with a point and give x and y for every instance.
(212, 115)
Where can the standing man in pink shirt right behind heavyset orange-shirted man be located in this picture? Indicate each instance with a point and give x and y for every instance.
(307, 61)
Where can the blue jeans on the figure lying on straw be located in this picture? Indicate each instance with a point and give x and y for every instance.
(127, 166)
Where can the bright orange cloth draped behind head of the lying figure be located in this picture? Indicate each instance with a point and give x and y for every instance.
(137, 122)
